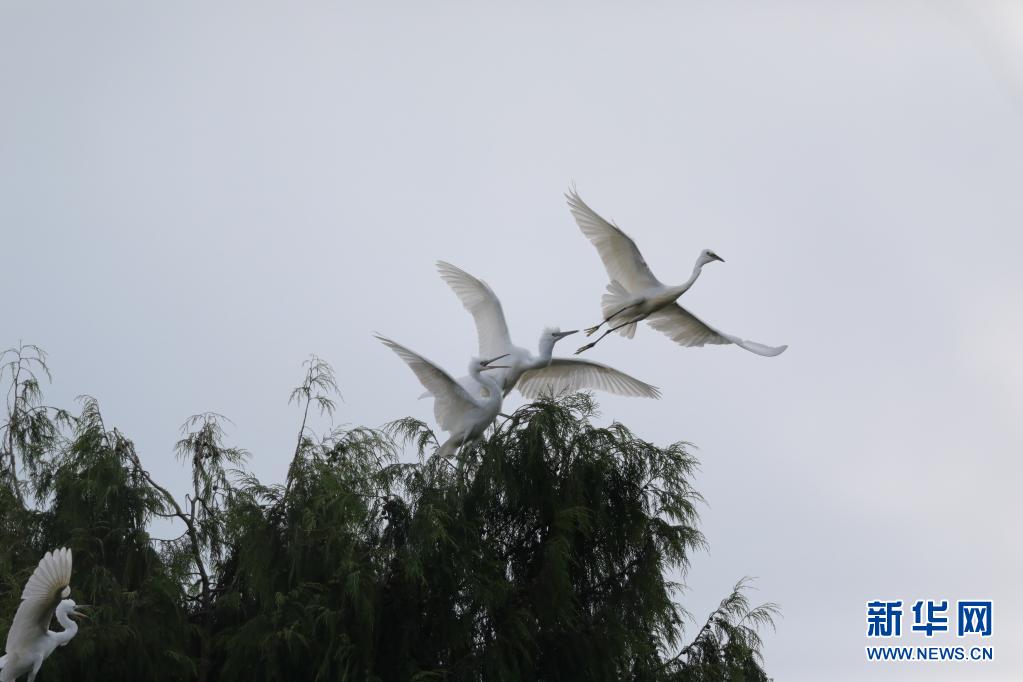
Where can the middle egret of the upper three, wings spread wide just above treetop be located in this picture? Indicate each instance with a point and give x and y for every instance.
(532, 375)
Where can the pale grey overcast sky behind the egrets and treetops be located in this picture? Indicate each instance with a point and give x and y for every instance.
(195, 197)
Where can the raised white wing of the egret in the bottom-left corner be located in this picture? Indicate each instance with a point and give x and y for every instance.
(50, 583)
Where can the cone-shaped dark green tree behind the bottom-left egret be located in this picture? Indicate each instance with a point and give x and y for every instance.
(93, 499)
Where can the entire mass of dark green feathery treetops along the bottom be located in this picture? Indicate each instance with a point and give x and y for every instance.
(545, 553)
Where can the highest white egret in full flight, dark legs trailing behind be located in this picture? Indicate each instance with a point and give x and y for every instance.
(636, 295)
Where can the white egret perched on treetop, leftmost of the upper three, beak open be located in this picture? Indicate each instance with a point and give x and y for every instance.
(465, 415)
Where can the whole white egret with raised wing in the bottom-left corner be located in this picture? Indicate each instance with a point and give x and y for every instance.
(30, 642)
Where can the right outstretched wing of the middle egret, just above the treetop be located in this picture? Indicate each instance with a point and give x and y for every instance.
(569, 375)
